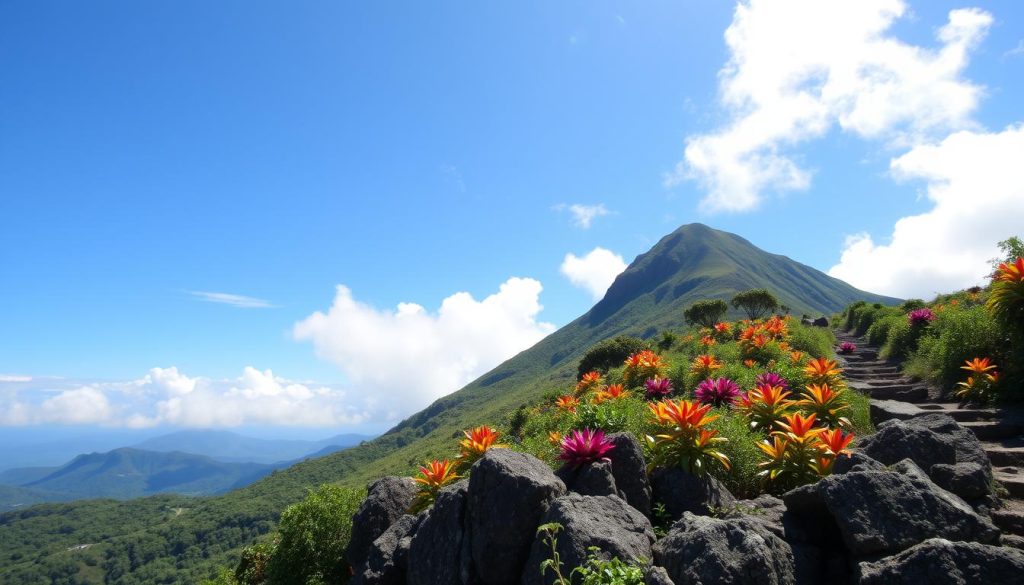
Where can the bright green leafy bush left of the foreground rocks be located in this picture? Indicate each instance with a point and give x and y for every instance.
(313, 538)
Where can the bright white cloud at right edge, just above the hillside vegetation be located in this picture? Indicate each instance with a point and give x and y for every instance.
(976, 184)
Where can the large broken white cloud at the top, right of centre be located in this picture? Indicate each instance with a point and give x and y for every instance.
(798, 69)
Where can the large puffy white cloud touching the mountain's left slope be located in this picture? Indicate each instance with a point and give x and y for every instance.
(406, 358)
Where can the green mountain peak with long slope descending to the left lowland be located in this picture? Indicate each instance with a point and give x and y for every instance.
(692, 264)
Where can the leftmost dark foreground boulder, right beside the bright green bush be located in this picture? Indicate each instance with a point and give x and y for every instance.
(388, 500)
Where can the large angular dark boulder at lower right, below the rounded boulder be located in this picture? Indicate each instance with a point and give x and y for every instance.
(885, 513)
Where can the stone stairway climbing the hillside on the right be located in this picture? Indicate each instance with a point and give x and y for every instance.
(894, 396)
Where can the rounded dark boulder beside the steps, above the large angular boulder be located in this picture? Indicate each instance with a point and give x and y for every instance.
(899, 440)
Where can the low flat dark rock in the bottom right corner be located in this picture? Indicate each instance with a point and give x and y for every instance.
(938, 561)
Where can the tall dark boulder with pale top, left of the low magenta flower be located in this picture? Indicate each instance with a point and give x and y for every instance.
(509, 493)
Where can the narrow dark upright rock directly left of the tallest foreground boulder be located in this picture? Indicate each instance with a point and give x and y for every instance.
(437, 554)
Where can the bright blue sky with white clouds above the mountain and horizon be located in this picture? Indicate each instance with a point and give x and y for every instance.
(410, 152)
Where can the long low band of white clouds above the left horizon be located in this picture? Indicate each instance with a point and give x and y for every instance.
(167, 397)
